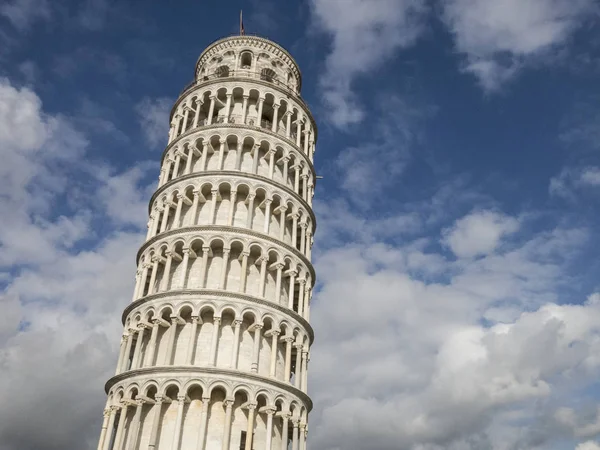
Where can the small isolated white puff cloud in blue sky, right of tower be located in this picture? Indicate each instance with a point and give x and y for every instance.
(479, 233)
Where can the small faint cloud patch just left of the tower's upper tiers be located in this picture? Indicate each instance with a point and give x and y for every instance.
(153, 115)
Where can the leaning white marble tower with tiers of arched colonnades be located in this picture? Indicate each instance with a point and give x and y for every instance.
(216, 340)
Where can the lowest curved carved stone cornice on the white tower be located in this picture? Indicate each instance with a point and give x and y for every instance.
(168, 370)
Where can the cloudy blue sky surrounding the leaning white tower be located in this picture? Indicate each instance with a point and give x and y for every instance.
(457, 304)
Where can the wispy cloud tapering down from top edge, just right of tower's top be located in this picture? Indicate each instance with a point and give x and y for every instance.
(364, 35)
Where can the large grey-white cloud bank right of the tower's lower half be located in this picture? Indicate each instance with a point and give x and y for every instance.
(417, 369)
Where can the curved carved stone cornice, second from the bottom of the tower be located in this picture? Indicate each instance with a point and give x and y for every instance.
(220, 293)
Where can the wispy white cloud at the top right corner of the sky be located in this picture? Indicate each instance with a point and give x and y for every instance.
(499, 37)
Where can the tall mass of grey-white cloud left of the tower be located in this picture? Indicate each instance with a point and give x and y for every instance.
(61, 301)
